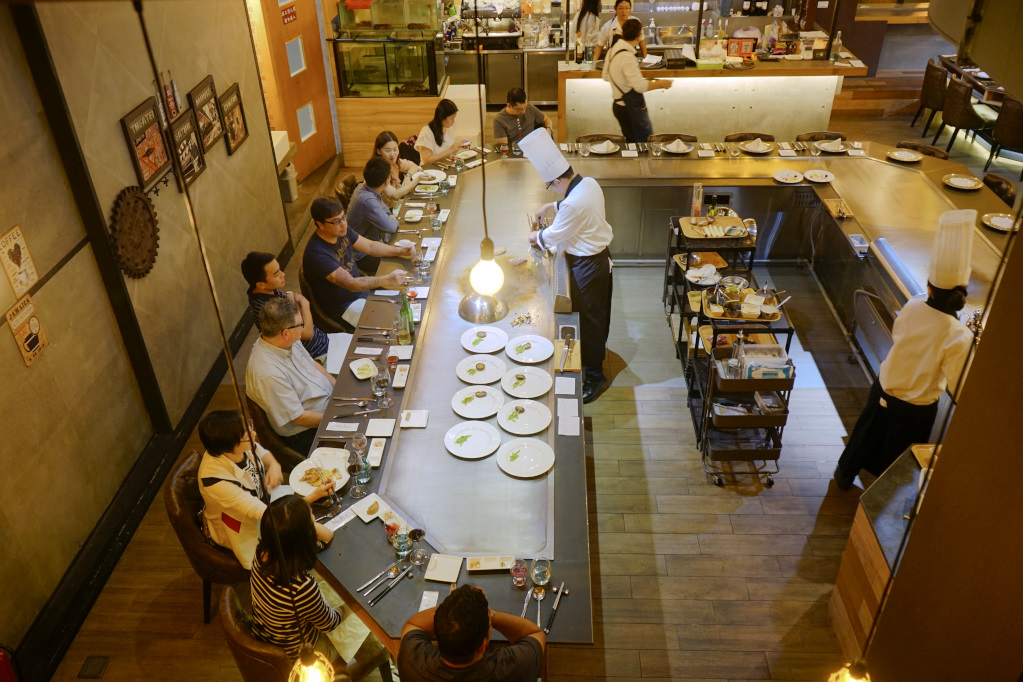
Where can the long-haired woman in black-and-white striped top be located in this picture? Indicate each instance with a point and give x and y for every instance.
(281, 575)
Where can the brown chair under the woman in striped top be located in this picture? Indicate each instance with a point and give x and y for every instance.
(259, 662)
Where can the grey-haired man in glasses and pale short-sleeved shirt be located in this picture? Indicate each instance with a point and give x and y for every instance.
(284, 380)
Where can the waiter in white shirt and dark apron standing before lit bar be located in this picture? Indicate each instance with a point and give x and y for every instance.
(628, 85)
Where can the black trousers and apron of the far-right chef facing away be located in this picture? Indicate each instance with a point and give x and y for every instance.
(882, 434)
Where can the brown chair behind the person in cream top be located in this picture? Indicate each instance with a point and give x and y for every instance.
(184, 503)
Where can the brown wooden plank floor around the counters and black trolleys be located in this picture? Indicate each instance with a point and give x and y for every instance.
(692, 582)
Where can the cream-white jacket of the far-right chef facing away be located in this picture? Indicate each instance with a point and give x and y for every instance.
(929, 352)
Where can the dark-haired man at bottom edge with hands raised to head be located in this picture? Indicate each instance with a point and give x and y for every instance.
(462, 626)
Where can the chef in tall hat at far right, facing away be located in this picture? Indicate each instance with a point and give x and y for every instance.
(929, 351)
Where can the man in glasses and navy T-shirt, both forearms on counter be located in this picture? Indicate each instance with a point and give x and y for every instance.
(330, 263)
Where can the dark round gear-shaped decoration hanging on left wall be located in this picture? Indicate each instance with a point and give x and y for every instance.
(135, 234)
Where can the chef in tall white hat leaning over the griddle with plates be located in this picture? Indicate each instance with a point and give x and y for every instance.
(582, 231)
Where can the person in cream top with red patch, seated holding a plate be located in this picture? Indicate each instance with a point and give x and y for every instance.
(236, 484)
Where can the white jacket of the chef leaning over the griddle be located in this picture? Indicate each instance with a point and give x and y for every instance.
(580, 226)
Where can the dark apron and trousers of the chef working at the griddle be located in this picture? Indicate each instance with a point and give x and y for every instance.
(591, 286)
